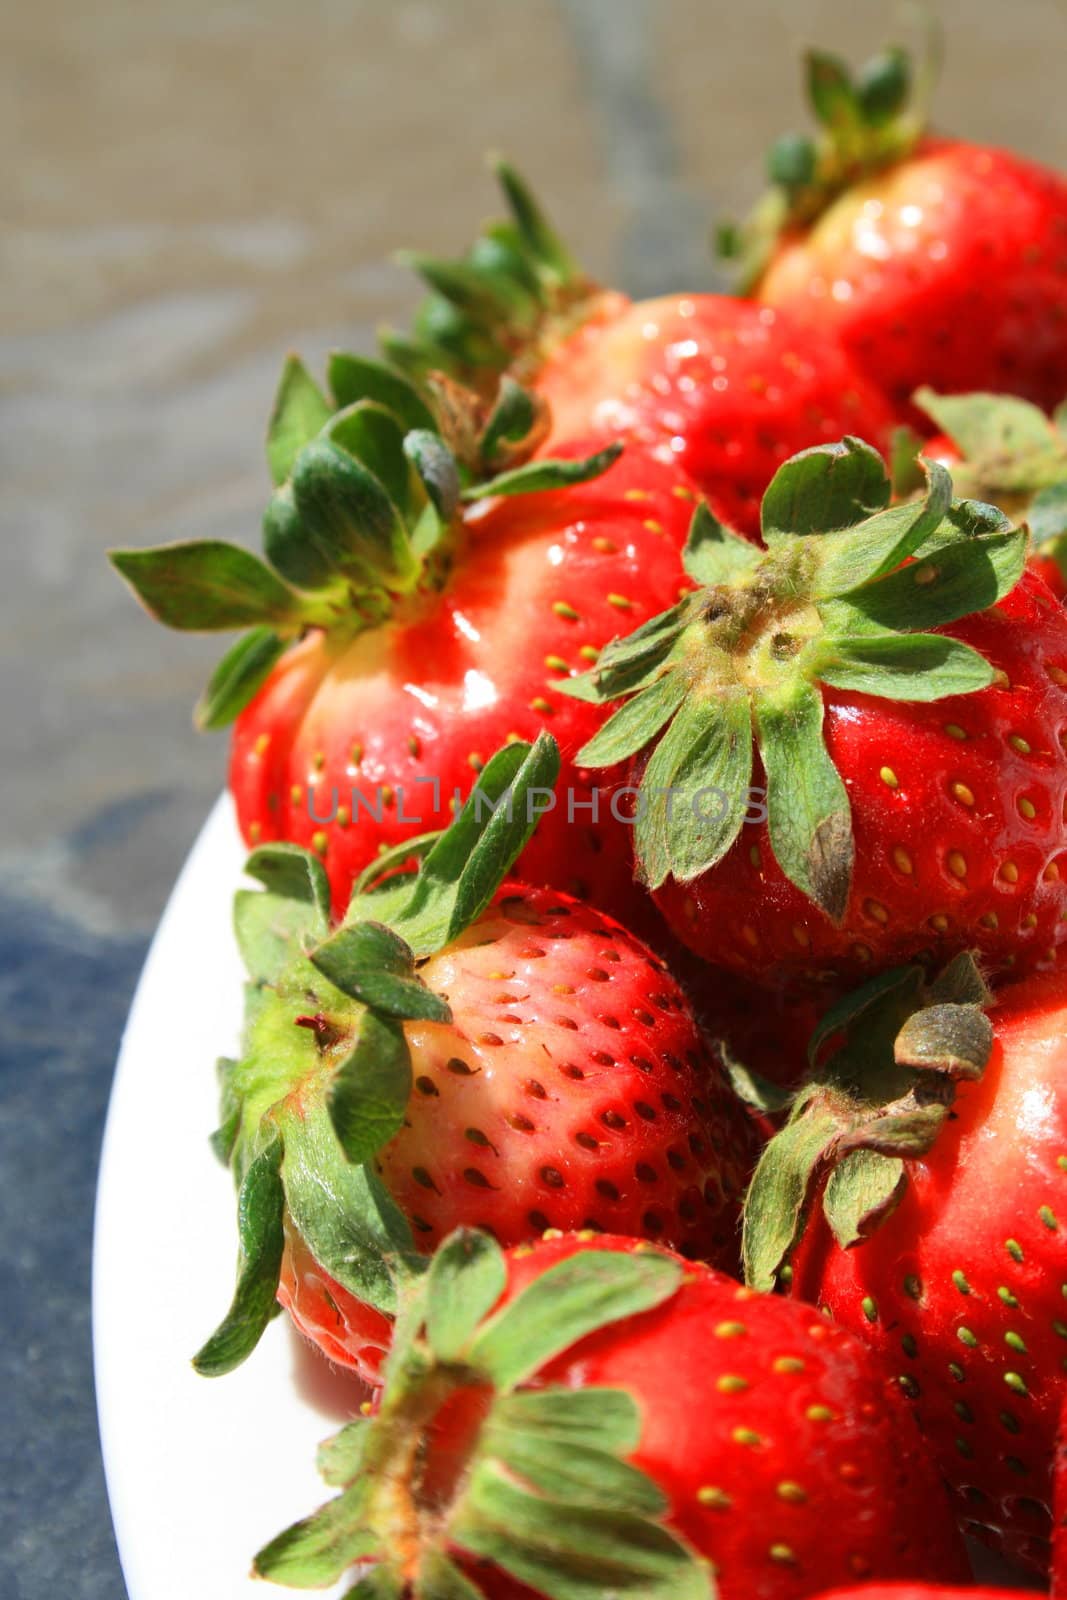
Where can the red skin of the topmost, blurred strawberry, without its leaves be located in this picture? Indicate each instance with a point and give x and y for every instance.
(948, 270)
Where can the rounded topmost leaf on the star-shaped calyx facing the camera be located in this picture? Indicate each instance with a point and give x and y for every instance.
(825, 489)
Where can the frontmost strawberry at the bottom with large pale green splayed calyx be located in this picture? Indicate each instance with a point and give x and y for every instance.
(597, 1418)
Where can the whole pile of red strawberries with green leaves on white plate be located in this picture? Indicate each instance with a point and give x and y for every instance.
(655, 770)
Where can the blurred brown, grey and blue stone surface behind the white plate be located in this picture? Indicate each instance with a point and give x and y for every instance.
(188, 191)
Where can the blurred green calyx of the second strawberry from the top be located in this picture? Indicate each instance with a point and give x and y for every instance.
(503, 305)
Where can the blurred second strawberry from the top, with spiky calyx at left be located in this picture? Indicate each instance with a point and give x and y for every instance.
(724, 388)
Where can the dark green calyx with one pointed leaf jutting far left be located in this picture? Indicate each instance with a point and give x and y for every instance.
(367, 514)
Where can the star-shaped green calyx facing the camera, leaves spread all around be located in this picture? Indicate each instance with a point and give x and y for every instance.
(847, 596)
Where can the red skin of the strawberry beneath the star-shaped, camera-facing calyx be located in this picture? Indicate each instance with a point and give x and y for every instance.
(959, 825)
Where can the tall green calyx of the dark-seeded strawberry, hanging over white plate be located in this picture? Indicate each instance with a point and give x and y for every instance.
(326, 1071)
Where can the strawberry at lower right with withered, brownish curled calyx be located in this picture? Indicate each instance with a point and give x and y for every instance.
(924, 1172)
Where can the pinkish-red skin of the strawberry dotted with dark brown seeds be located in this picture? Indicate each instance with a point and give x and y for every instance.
(572, 1090)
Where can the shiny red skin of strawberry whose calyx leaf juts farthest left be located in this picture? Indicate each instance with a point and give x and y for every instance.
(407, 714)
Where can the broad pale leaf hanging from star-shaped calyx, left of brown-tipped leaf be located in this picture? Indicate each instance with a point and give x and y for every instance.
(695, 793)
